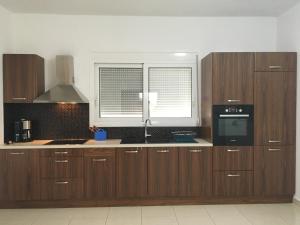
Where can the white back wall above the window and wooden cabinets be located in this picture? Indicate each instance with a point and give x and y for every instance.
(49, 35)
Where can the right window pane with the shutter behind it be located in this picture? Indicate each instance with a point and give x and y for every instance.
(170, 92)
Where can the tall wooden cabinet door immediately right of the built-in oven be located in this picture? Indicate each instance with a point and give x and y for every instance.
(275, 108)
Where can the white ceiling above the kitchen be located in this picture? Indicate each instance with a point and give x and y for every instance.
(153, 7)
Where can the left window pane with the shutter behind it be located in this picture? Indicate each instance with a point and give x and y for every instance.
(121, 92)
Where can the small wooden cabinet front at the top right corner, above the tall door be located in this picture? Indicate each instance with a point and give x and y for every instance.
(276, 61)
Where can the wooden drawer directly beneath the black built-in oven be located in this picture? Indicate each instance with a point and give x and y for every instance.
(233, 158)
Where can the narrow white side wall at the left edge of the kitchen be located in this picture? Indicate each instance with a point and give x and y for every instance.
(5, 39)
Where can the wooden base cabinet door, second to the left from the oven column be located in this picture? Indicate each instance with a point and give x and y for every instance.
(162, 172)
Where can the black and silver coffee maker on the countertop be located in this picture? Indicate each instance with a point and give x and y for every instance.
(22, 130)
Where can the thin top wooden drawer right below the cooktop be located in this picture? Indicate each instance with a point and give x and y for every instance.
(59, 153)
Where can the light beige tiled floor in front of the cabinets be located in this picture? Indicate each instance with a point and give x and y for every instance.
(264, 214)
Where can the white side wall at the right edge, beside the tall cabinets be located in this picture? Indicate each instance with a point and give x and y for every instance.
(289, 40)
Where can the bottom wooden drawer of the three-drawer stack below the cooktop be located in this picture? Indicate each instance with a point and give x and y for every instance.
(61, 189)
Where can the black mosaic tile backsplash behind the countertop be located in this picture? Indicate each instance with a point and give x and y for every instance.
(66, 121)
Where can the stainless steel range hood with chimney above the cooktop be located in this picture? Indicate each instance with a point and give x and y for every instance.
(65, 91)
